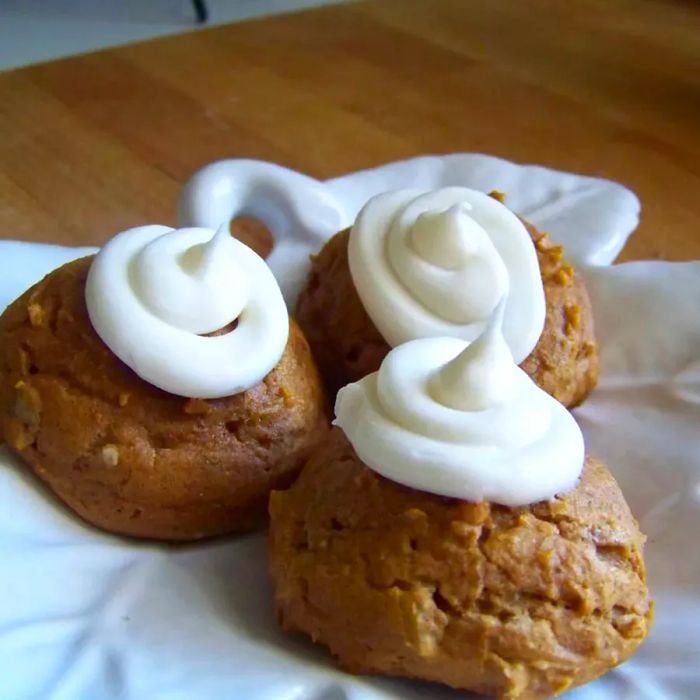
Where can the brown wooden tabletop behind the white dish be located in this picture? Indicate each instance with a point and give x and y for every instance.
(94, 144)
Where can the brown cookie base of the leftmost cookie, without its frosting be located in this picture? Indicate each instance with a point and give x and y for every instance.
(129, 457)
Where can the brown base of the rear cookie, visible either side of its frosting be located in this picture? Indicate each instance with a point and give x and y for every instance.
(348, 346)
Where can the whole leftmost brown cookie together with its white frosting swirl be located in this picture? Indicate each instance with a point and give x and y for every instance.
(159, 388)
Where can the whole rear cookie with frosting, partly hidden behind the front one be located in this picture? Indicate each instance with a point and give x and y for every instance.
(420, 264)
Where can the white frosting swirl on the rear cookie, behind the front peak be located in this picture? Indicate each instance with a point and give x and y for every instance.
(436, 264)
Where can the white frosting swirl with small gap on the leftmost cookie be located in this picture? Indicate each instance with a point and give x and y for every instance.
(153, 292)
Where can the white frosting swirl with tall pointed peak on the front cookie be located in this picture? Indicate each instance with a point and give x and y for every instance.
(462, 420)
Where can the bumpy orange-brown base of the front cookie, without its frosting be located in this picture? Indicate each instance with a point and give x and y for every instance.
(510, 602)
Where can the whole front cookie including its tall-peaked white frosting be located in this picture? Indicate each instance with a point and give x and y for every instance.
(451, 529)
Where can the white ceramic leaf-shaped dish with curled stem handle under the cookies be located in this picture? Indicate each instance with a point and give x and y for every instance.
(86, 616)
